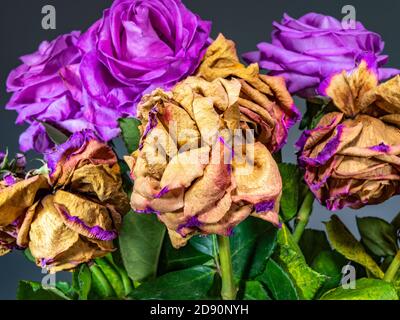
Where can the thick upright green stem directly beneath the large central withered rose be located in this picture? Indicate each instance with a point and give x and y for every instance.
(228, 291)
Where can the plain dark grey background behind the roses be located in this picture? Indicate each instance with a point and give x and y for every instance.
(246, 22)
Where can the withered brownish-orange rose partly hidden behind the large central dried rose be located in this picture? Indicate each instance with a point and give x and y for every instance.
(265, 104)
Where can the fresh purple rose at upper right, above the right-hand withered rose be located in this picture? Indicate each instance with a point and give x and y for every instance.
(310, 50)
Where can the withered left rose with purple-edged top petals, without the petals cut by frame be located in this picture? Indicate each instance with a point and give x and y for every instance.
(80, 219)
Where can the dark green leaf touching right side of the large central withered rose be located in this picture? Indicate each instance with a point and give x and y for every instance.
(291, 180)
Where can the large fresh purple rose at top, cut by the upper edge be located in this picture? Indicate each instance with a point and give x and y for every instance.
(138, 45)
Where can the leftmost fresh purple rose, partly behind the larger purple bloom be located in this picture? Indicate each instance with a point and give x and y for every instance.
(40, 91)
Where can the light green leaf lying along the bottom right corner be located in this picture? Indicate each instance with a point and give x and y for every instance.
(366, 289)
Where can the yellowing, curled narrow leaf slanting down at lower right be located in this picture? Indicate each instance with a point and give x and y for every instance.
(344, 242)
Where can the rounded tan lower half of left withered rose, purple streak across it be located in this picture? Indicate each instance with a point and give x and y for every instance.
(70, 229)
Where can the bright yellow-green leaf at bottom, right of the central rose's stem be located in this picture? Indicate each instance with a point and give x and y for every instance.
(290, 257)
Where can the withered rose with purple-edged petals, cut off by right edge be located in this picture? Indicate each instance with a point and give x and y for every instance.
(352, 156)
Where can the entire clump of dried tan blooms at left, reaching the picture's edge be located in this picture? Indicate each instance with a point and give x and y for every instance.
(71, 216)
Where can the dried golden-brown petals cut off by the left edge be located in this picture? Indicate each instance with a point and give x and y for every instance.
(17, 198)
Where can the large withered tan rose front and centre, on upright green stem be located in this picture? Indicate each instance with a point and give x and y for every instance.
(190, 171)
